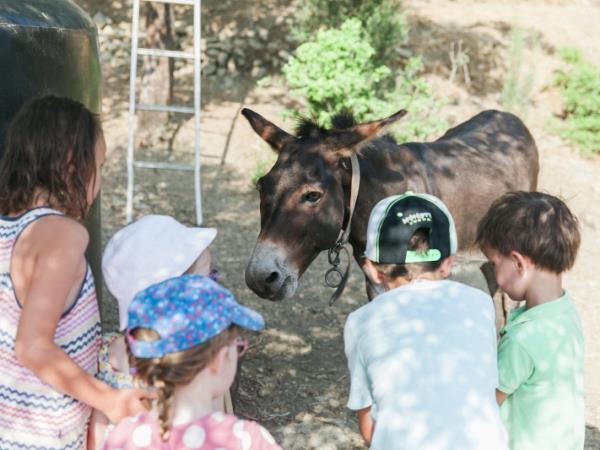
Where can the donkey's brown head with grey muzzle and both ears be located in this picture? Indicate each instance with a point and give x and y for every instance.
(302, 198)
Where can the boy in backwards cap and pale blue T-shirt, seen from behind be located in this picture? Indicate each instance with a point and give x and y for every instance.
(422, 355)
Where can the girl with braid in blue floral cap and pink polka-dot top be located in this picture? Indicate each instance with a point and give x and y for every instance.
(184, 339)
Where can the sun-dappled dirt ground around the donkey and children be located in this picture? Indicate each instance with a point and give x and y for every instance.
(294, 379)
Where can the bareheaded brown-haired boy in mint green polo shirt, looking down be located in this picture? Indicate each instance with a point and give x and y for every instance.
(532, 238)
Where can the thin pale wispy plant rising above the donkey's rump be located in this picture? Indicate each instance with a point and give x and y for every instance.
(518, 84)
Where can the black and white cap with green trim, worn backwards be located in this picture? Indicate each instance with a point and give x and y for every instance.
(395, 219)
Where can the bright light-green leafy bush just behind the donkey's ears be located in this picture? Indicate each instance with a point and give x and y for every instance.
(337, 71)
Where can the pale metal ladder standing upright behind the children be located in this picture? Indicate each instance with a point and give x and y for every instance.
(133, 106)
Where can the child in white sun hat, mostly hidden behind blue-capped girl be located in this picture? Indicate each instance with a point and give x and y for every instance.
(148, 251)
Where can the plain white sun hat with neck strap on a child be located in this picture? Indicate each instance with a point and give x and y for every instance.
(148, 251)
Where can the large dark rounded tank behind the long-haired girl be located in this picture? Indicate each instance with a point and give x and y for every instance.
(50, 47)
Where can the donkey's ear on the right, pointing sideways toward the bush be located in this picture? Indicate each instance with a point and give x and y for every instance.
(349, 140)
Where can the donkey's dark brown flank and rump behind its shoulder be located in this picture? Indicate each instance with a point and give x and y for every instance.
(474, 163)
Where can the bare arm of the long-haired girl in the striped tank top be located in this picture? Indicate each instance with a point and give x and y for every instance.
(57, 268)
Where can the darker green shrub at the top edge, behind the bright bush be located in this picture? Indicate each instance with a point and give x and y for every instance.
(382, 20)
